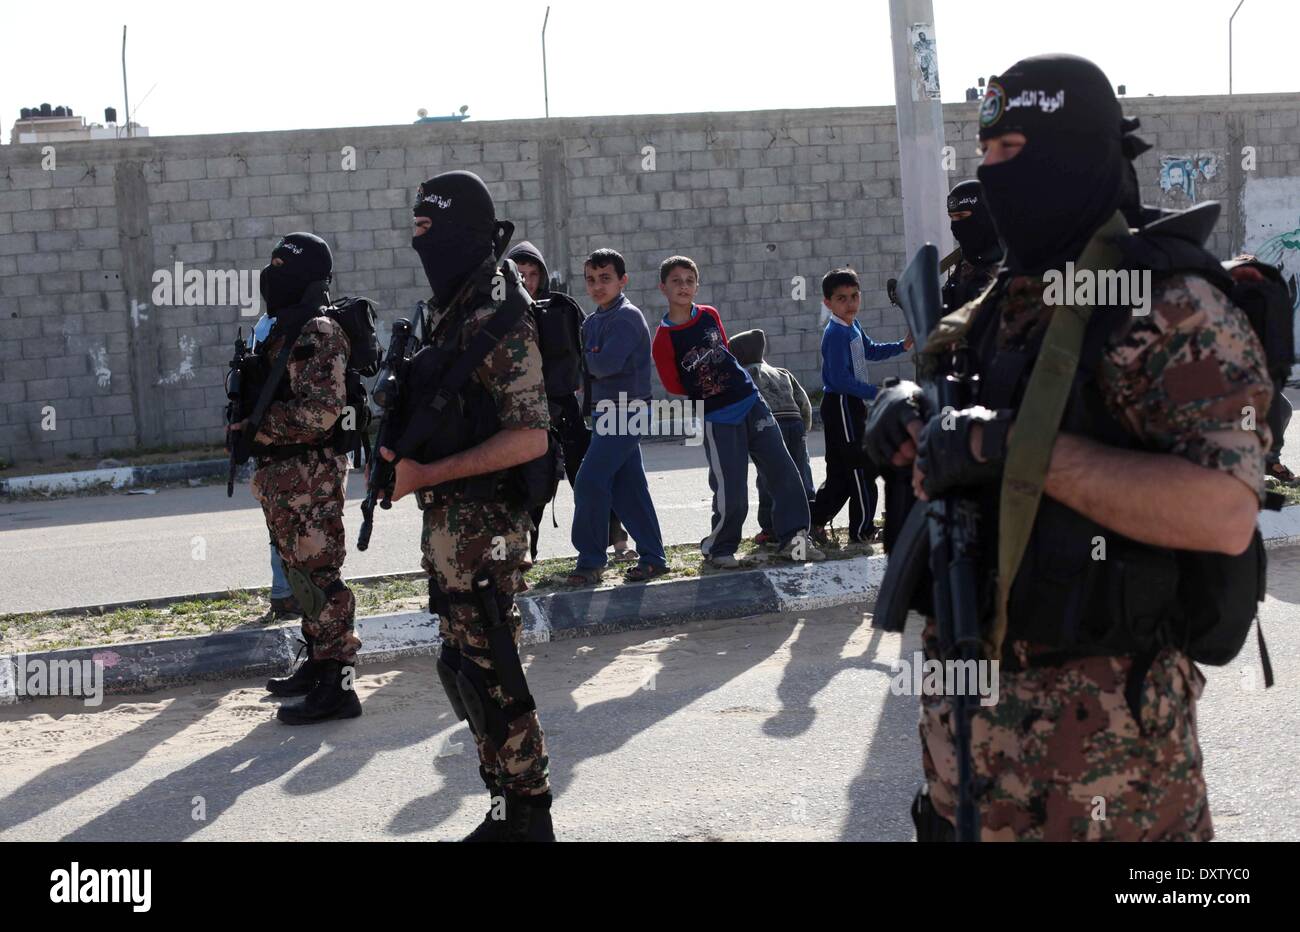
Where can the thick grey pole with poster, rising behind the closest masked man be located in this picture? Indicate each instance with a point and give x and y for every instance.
(921, 127)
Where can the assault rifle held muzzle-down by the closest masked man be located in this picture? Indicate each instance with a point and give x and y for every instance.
(948, 528)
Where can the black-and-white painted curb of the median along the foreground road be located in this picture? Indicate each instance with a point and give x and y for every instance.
(154, 665)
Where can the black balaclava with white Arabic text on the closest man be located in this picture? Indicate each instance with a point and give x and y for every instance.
(1073, 172)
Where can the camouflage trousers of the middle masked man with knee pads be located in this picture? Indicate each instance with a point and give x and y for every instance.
(460, 541)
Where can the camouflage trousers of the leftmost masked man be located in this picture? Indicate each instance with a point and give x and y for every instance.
(302, 498)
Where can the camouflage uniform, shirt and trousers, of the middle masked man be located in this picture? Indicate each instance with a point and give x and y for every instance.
(463, 537)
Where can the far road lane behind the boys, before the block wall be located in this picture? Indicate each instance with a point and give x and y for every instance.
(116, 548)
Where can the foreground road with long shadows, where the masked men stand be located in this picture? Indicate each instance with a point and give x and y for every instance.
(768, 729)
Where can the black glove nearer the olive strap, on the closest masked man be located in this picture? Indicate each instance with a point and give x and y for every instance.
(944, 453)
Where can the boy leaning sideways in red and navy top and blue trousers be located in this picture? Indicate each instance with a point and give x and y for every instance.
(692, 358)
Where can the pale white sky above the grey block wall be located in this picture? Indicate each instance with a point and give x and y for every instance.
(248, 67)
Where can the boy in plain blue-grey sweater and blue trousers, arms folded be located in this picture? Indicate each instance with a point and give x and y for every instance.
(617, 352)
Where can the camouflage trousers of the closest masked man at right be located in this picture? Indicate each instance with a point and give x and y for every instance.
(1061, 758)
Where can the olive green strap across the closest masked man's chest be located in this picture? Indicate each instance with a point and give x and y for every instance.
(1038, 422)
